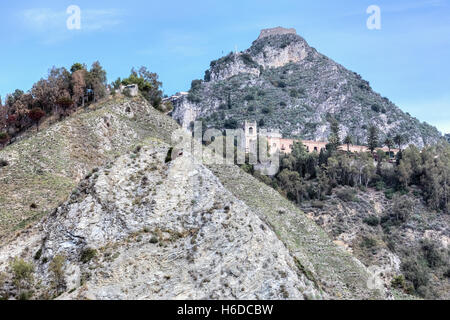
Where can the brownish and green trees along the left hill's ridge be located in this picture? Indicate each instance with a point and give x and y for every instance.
(63, 91)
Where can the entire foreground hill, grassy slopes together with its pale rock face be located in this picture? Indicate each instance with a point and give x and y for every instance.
(154, 224)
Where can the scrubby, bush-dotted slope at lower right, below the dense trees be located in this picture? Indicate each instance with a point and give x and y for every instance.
(416, 250)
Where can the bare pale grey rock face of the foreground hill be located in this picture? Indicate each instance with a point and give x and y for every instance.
(160, 231)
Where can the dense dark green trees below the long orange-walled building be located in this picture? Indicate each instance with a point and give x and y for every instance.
(307, 176)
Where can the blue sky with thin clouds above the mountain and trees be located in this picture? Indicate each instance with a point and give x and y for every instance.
(406, 61)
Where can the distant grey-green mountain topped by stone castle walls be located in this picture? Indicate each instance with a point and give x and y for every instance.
(290, 86)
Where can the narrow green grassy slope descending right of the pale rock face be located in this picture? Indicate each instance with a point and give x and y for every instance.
(336, 272)
